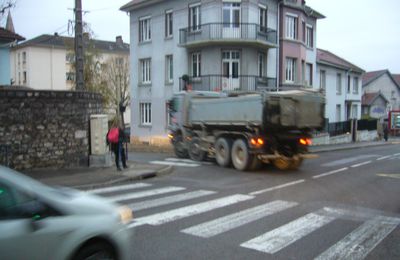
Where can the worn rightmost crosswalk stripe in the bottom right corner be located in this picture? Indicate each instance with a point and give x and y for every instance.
(359, 243)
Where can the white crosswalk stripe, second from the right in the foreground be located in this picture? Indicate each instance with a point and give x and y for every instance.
(279, 238)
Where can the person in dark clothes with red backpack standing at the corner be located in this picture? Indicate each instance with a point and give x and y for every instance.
(116, 139)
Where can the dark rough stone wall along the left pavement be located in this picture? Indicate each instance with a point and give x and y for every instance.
(47, 128)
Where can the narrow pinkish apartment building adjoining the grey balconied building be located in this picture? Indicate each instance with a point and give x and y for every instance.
(297, 44)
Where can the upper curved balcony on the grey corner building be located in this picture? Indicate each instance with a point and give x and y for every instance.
(247, 34)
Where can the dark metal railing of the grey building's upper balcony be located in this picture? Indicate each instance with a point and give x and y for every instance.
(227, 31)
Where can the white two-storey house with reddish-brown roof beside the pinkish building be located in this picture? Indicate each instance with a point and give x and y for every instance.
(341, 82)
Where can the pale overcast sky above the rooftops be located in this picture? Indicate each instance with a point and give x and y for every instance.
(364, 32)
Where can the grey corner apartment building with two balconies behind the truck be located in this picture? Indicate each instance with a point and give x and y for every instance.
(203, 45)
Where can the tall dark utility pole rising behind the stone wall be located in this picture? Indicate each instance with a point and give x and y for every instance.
(79, 53)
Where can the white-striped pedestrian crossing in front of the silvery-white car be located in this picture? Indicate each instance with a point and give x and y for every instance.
(370, 232)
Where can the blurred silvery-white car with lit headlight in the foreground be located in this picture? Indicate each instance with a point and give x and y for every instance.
(41, 222)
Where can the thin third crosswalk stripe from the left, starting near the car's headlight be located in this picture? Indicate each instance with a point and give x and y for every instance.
(170, 199)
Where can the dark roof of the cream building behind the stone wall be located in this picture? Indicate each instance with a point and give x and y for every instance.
(47, 40)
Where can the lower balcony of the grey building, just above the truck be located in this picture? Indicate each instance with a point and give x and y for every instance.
(221, 83)
